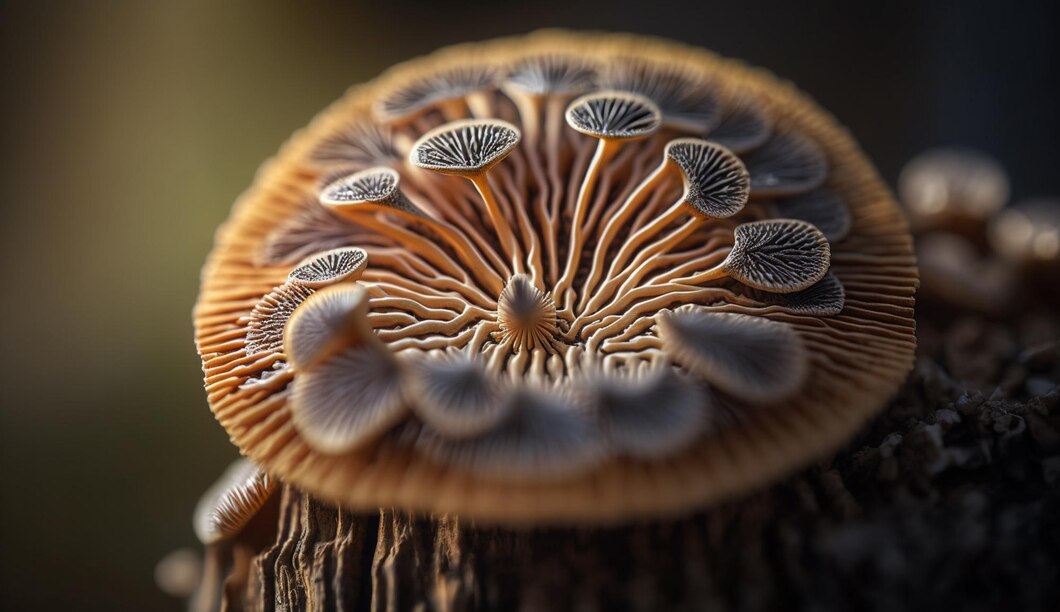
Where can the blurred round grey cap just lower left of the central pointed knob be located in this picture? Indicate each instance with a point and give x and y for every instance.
(455, 394)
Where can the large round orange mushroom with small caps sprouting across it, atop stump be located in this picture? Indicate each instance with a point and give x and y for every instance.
(561, 277)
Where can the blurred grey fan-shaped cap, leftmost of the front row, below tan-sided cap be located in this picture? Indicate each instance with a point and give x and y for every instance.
(348, 400)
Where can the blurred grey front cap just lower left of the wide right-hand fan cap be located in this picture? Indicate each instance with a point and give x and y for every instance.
(648, 414)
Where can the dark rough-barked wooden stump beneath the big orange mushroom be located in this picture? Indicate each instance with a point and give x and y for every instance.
(952, 498)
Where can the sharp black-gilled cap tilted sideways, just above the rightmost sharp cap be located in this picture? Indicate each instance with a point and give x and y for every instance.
(717, 184)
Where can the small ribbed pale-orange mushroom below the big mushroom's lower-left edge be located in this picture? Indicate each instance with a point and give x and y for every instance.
(226, 509)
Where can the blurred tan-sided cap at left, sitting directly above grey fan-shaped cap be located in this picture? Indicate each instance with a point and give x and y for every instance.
(331, 320)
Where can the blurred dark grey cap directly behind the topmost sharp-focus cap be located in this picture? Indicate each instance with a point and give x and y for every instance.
(686, 101)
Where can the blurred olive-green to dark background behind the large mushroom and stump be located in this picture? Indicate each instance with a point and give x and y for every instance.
(130, 128)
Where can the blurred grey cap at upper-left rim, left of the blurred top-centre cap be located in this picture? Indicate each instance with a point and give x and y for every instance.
(446, 90)
